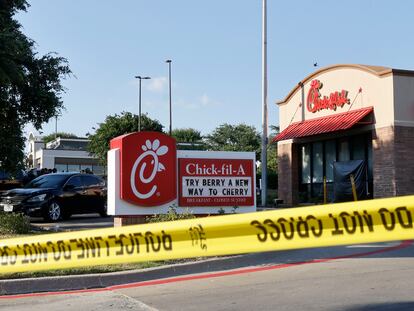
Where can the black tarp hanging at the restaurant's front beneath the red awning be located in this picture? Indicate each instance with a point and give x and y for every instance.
(342, 180)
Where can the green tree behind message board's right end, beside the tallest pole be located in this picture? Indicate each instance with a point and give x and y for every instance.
(239, 137)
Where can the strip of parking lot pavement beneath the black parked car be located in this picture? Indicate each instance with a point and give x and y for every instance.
(76, 222)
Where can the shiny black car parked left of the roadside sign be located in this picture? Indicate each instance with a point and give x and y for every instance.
(58, 195)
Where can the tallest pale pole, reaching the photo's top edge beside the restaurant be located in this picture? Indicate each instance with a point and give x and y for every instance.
(264, 101)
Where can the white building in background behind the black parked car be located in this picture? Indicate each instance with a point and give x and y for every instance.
(64, 154)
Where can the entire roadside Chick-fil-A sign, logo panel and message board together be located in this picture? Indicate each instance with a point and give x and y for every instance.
(147, 175)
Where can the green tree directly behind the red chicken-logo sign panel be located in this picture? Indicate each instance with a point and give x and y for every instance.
(115, 126)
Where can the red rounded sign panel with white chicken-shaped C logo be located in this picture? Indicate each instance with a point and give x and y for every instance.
(148, 168)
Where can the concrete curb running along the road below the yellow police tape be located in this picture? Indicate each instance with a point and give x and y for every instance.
(215, 264)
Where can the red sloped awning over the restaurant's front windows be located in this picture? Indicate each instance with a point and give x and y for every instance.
(337, 122)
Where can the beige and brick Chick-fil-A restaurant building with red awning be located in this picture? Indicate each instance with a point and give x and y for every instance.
(343, 114)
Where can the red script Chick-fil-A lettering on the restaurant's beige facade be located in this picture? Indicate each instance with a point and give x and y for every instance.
(315, 103)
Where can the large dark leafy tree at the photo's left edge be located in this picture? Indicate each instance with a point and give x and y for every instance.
(30, 85)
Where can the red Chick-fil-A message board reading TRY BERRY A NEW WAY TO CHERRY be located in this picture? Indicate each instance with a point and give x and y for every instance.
(217, 182)
